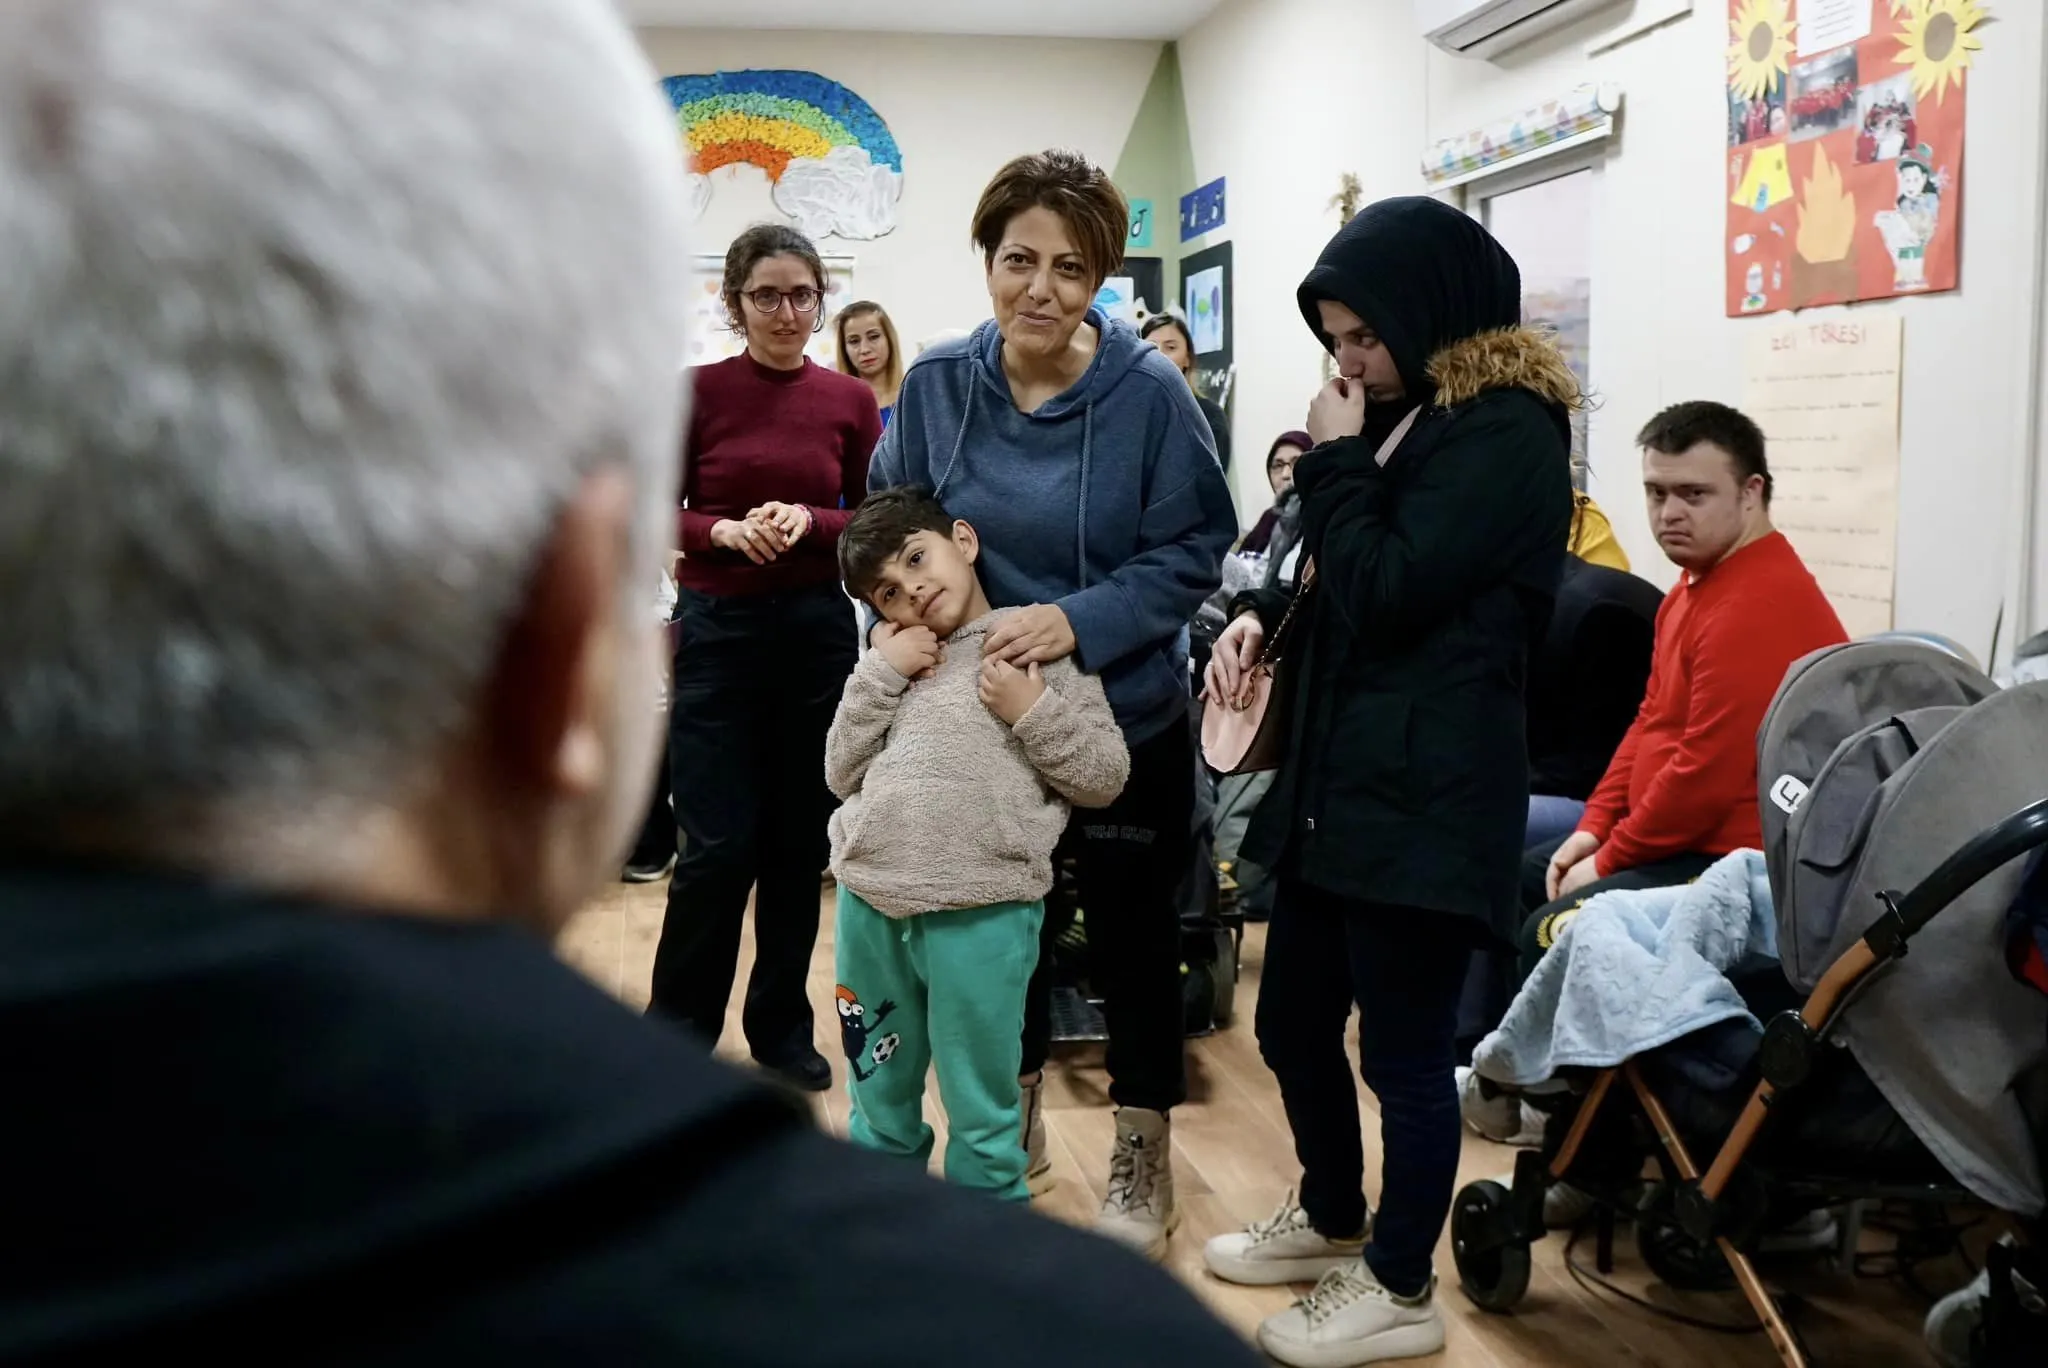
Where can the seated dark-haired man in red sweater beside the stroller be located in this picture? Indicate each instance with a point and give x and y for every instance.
(1682, 789)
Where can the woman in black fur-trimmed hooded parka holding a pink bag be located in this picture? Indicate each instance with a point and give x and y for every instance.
(1396, 820)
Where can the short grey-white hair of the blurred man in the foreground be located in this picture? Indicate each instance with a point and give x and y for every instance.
(312, 318)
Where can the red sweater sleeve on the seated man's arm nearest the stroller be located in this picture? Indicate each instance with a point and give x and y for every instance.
(1717, 757)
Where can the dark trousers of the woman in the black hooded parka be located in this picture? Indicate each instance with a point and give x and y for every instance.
(1404, 970)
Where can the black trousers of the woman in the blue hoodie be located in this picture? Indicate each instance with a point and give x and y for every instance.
(1129, 863)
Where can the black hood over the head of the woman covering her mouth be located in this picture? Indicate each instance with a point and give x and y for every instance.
(1422, 275)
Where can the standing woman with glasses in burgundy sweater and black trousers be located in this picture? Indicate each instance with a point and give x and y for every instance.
(777, 462)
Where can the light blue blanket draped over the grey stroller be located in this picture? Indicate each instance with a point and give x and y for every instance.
(1635, 972)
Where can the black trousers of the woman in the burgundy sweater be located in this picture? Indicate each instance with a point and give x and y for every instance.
(757, 685)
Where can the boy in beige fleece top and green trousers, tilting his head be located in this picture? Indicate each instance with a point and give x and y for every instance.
(955, 779)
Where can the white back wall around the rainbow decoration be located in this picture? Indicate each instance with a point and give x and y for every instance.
(959, 110)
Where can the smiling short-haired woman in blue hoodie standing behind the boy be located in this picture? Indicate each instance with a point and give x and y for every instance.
(1082, 460)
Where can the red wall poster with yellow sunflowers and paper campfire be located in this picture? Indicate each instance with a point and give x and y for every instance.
(1844, 148)
